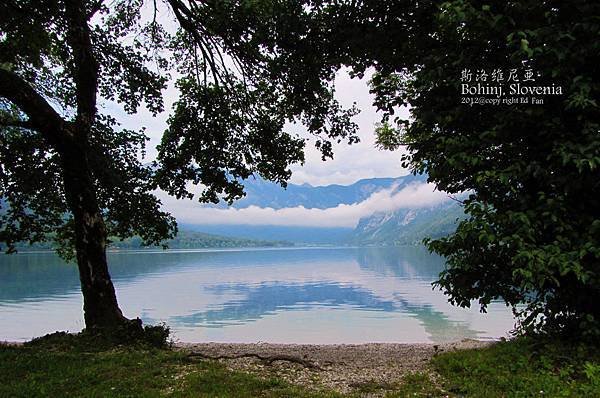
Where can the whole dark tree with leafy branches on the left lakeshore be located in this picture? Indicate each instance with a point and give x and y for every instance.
(70, 174)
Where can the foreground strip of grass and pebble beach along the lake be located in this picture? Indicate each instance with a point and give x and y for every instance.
(65, 366)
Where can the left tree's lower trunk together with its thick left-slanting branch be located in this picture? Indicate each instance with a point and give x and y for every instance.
(70, 139)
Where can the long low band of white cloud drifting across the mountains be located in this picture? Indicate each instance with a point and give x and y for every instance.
(412, 196)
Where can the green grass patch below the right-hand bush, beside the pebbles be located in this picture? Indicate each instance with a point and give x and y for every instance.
(522, 368)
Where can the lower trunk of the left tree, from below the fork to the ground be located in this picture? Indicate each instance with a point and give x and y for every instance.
(100, 307)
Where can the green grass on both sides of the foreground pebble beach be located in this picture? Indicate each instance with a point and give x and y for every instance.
(67, 366)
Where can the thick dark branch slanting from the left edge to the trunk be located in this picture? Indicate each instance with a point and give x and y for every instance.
(42, 116)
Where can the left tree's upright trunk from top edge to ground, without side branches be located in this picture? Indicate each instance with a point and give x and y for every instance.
(100, 307)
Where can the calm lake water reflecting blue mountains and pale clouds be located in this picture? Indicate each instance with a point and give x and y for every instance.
(324, 295)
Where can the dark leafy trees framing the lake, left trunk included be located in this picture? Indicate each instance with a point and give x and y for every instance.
(246, 68)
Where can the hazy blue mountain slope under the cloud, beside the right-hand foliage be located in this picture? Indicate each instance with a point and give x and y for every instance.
(408, 226)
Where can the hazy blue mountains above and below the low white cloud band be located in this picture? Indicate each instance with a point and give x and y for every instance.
(400, 227)
